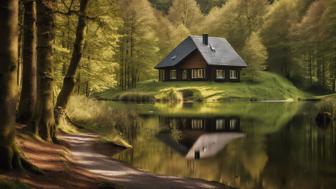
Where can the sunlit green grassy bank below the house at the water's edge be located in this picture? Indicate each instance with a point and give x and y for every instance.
(269, 87)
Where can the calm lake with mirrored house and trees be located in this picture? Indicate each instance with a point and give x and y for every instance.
(245, 145)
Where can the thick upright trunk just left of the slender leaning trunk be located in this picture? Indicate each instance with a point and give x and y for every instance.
(43, 123)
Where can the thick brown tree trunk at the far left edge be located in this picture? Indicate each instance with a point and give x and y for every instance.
(9, 155)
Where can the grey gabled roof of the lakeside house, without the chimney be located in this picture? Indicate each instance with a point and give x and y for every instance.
(219, 52)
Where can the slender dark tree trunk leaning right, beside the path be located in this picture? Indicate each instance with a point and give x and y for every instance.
(69, 80)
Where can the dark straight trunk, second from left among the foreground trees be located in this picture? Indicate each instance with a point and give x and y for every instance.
(28, 92)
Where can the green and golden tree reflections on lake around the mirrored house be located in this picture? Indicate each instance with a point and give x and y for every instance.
(280, 150)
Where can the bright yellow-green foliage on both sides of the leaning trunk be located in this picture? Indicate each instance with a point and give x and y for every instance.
(98, 67)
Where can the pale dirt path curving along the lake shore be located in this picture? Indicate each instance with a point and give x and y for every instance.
(117, 172)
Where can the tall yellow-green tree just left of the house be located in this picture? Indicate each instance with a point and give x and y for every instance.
(138, 46)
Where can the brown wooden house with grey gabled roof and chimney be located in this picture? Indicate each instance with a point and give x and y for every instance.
(201, 58)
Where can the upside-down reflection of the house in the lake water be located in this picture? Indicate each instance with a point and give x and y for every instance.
(201, 137)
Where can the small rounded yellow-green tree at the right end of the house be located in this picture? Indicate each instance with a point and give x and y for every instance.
(255, 54)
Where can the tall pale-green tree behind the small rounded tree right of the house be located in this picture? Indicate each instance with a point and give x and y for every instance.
(276, 35)
